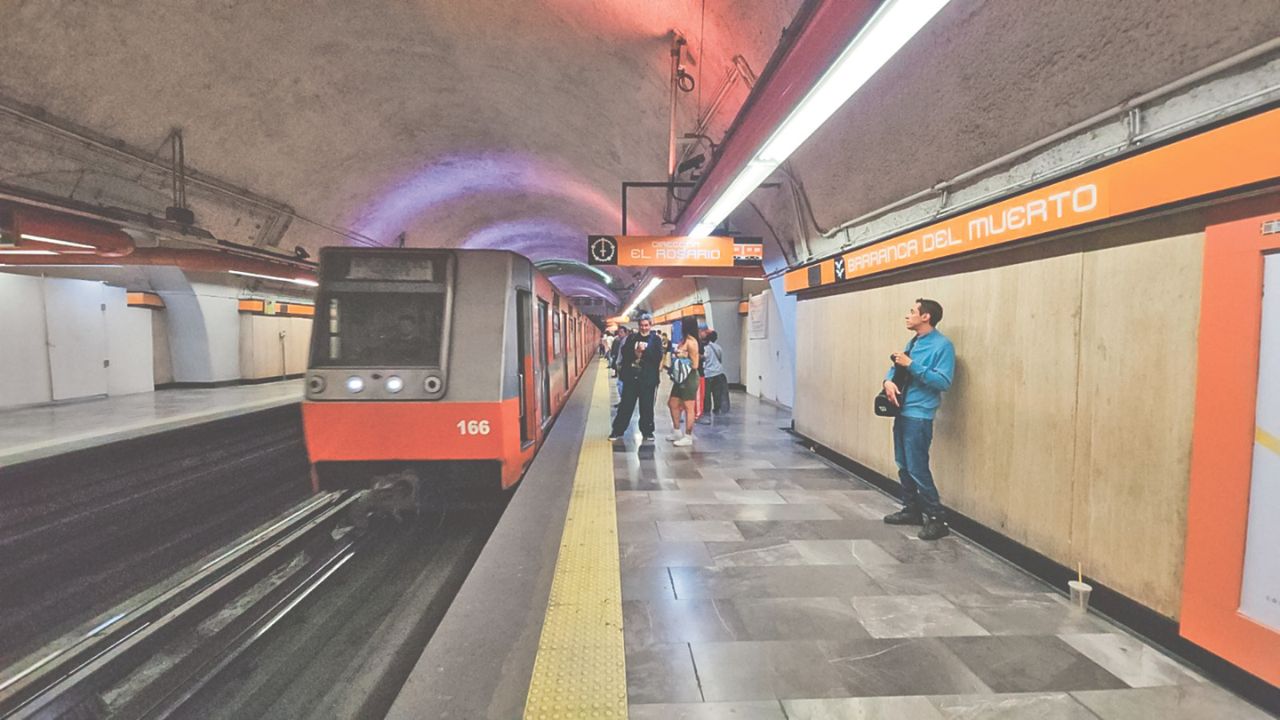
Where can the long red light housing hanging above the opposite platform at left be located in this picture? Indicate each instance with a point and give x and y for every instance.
(191, 261)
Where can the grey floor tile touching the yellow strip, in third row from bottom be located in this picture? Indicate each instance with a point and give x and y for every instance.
(668, 621)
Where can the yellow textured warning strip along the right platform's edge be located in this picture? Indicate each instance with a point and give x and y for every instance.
(580, 672)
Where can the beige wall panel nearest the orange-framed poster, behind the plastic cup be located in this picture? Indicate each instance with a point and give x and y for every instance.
(1141, 313)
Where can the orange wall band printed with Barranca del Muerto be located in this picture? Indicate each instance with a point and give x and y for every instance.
(1236, 156)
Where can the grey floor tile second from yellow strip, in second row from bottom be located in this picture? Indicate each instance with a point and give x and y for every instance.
(765, 671)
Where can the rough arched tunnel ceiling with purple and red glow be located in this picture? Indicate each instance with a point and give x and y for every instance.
(511, 124)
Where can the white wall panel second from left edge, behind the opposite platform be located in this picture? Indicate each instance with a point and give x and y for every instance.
(75, 318)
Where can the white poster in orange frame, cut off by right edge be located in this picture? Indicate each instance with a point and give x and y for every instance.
(1260, 591)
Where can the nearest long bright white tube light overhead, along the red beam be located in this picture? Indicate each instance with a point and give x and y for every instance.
(889, 30)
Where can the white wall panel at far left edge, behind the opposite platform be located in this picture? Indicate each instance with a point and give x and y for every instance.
(24, 356)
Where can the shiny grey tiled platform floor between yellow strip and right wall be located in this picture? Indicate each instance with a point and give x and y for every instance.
(760, 584)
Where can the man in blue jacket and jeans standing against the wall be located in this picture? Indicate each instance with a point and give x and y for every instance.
(930, 362)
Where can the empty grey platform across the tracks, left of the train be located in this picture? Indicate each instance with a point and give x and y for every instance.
(47, 431)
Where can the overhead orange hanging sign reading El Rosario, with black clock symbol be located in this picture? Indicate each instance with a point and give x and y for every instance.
(674, 252)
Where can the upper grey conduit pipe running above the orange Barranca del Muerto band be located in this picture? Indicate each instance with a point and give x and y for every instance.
(1183, 83)
